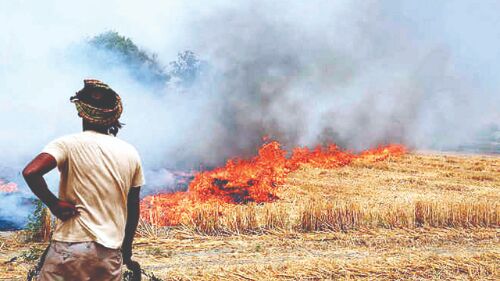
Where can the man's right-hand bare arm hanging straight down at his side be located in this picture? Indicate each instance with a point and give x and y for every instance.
(133, 212)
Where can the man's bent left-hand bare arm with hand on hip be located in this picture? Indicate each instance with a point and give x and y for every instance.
(33, 175)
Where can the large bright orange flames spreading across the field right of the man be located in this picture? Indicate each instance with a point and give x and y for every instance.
(253, 180)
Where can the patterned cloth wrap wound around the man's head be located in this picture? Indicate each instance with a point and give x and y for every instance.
(97, 115)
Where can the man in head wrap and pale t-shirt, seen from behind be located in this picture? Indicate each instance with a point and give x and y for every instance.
(98, 204)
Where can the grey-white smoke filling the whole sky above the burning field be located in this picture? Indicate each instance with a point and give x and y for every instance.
(358, 73)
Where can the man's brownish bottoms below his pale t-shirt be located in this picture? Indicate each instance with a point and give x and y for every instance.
(81, 261)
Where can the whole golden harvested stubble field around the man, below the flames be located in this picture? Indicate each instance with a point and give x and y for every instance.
(413, 217)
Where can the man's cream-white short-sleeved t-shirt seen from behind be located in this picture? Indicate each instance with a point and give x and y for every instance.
(97, 172)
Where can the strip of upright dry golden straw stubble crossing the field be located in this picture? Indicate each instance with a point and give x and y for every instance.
(322, 215)
